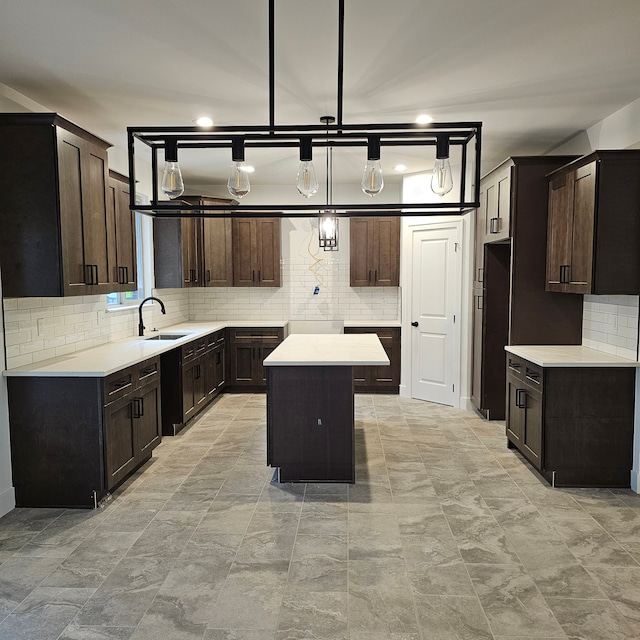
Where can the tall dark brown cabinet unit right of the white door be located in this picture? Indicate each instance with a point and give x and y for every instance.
(510, 304)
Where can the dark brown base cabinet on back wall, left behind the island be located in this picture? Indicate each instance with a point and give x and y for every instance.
(248, 347)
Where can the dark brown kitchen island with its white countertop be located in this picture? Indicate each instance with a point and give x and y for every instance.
(310, 404)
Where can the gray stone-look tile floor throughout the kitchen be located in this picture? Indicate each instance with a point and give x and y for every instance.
(446, 535)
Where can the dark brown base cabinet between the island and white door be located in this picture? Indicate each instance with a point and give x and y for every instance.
(382, 379)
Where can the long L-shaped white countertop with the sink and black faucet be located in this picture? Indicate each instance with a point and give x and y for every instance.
(114, 356)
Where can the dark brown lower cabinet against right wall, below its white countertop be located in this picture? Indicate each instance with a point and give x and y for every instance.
(574, 424)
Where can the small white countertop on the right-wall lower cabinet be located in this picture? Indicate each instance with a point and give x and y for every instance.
(568, 356)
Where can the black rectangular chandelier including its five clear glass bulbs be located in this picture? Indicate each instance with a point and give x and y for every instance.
(337, 136)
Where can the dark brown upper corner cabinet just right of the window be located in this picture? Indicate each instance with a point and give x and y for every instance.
(193, 252)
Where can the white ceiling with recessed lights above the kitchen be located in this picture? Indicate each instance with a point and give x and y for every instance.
(535, 72)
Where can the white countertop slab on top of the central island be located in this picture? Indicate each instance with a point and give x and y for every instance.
(327, 349)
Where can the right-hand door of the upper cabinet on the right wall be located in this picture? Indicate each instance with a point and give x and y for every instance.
(582, 239)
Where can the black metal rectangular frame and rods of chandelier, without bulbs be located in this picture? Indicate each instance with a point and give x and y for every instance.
(466, 135)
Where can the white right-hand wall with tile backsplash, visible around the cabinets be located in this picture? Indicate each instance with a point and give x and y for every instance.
(610, 323)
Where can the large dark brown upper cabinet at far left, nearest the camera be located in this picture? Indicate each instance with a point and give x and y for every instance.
(55, 215)
